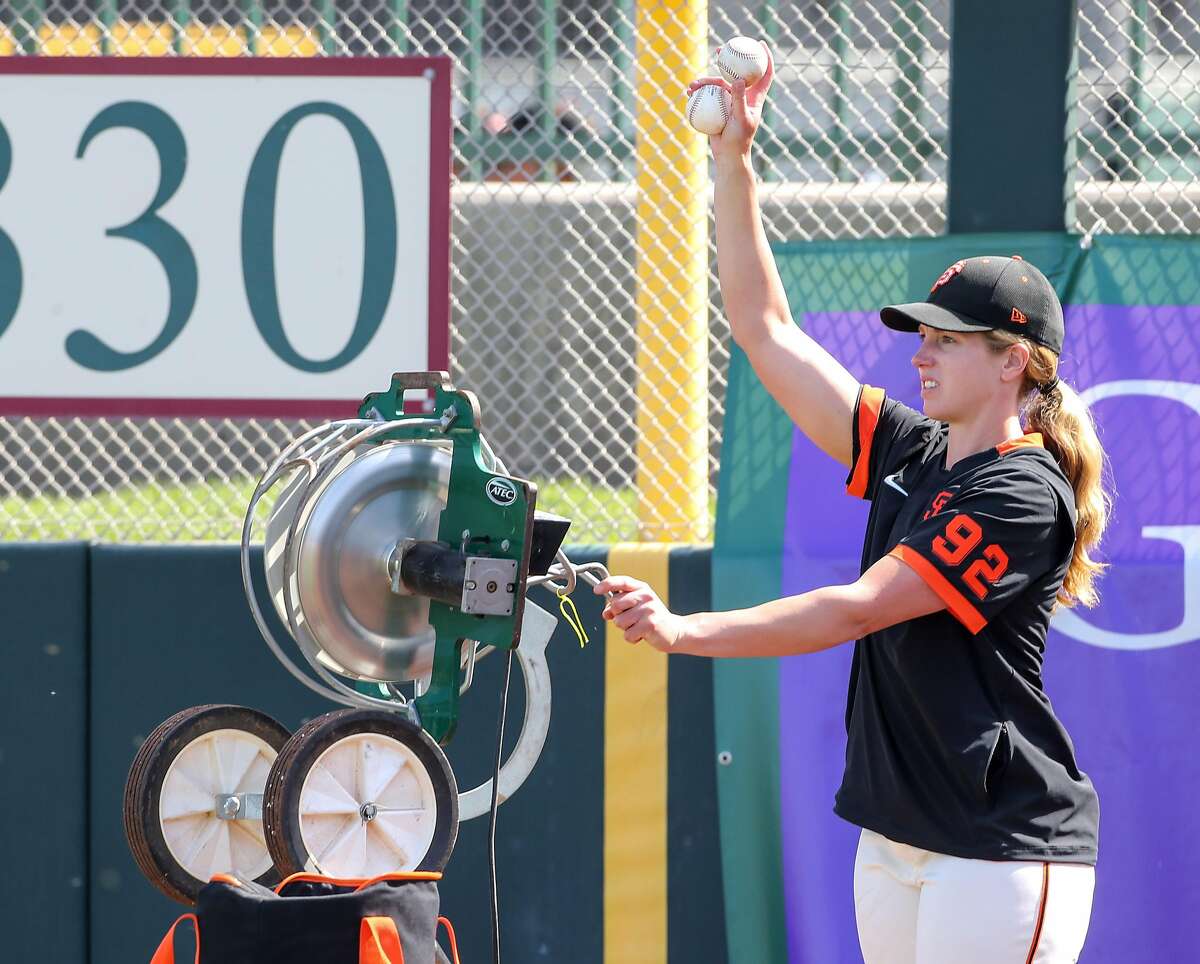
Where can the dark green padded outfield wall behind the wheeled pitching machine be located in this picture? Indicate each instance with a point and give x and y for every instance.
(101, 643)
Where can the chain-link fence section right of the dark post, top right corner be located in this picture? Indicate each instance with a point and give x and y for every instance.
(1136, 122)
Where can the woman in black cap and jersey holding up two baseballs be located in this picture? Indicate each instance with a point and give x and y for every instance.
(980, 831)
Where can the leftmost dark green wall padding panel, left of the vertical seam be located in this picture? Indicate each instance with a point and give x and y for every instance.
(44, 752)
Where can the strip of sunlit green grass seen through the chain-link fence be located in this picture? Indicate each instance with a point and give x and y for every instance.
(213, 511)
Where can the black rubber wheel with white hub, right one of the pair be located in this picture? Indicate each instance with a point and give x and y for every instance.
(361, 793)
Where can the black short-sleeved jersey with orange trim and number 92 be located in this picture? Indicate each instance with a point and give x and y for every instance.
(953, 745)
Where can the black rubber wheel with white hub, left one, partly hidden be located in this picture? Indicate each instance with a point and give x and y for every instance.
(171, 821)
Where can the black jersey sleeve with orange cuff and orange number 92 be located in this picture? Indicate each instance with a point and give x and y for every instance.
(987, 543)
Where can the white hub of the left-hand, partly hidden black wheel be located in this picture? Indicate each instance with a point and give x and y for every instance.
(214, 767)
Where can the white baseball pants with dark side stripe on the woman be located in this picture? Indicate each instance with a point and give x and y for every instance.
(915, 907)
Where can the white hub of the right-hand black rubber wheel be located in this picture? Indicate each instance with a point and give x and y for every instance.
(368, 807)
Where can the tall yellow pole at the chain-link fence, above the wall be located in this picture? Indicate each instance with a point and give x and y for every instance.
(673, 277)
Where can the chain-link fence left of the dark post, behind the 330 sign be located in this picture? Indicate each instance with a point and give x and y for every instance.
(544, 224)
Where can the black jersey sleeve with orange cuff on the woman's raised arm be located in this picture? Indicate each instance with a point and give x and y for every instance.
(886, 434)
